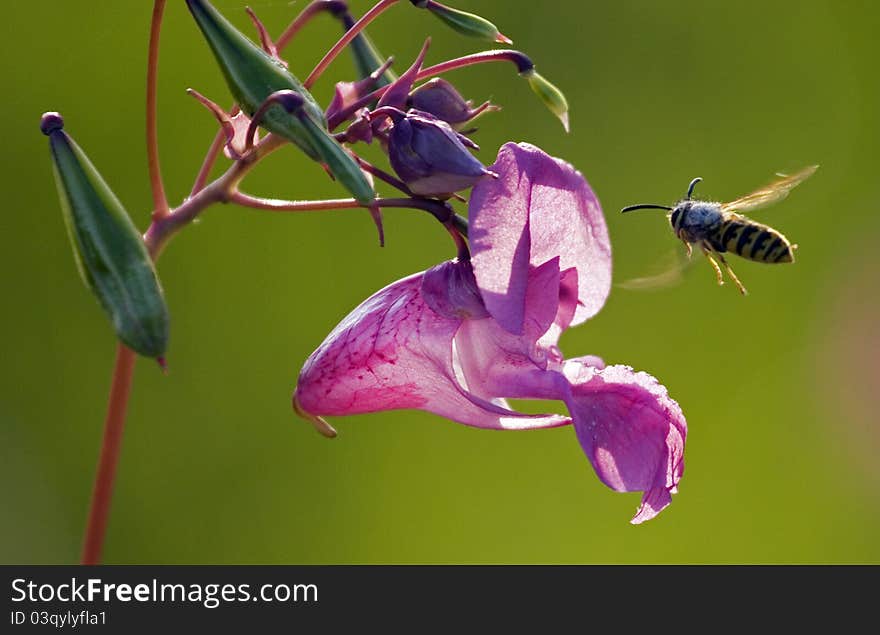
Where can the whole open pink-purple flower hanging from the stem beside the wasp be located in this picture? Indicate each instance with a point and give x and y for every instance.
(462, 337)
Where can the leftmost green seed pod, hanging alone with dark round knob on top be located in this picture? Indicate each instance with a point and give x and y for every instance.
(109, 251)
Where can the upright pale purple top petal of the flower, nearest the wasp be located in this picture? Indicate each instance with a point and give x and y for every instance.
(539, 208)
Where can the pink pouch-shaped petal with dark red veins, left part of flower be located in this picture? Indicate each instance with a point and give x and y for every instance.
(394, 352)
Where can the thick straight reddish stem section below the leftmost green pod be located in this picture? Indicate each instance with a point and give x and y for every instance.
(106, 474)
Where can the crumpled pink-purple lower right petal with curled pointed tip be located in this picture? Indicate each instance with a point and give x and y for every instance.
(630, 430)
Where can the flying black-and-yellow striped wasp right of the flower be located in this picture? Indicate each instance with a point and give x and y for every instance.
(719, 227)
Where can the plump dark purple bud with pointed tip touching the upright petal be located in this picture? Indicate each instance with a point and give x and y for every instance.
(429, 156)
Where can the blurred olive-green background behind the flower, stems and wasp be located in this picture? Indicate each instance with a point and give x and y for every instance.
(779, 388)
